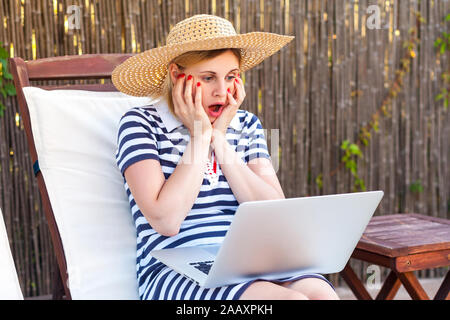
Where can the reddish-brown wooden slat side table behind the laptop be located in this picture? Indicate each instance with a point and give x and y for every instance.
(404, 243)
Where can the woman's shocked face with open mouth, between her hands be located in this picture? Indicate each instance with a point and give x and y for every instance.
(216, 76)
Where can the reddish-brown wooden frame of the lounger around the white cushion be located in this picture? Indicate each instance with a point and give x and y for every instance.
(75, 67)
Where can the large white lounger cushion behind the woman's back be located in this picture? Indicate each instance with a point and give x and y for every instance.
(75, 134)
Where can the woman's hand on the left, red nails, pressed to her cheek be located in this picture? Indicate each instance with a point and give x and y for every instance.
(190, 111)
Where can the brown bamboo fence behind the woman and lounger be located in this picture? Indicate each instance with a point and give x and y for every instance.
(338, 76)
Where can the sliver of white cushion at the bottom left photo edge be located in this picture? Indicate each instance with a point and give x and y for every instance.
(9, 282)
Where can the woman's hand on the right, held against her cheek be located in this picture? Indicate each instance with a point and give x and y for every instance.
(220, 125)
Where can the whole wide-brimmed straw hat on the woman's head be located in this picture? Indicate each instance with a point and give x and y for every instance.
(144, 73)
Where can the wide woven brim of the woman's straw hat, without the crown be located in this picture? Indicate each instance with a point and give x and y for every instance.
(144, 74)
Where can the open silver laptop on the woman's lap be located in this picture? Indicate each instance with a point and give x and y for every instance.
(273, 239)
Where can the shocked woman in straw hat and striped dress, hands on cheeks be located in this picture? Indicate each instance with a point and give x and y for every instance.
(191, 158)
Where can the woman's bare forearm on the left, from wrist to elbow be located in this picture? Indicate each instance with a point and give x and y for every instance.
(181, 189)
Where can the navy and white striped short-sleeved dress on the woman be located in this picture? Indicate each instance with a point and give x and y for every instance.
(152, 132)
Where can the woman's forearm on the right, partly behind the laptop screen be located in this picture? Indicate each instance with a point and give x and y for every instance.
(245, 184)
